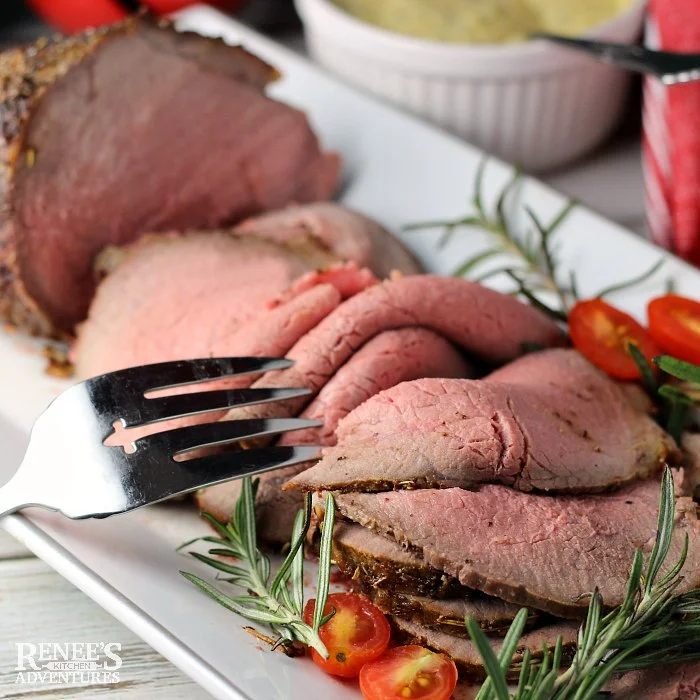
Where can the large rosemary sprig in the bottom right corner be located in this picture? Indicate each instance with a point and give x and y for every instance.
(652, 627)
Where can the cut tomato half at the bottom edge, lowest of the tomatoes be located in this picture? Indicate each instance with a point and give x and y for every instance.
(409, 672)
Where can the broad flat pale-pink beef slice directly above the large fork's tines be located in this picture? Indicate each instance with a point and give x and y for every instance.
(174, 297)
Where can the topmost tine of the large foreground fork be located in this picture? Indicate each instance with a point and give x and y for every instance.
(166, 375)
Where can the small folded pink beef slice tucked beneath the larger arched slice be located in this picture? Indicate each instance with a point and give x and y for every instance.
(387, 359)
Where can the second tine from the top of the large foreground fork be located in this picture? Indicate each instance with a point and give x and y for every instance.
(180, 405)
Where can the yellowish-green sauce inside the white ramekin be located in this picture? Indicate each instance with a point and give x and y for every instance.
(484, 21)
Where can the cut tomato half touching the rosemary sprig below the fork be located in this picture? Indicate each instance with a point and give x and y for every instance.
(357, 633)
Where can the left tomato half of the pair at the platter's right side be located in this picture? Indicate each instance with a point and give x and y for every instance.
(603, 334)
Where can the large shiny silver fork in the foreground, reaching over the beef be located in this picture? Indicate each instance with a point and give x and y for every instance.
(68, 468)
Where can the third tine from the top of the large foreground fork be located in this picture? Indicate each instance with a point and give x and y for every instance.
(180, 440)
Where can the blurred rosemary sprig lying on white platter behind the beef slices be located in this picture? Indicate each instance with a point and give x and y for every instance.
(530, 259)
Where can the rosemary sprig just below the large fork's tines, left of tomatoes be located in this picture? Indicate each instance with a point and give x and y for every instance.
(278, 601)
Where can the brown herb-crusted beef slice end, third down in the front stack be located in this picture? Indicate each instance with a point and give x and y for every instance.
(375, 561)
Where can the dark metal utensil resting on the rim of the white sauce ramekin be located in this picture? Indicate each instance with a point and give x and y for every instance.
(670, 68)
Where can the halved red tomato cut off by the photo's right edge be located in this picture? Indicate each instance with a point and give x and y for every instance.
(674, 323)
